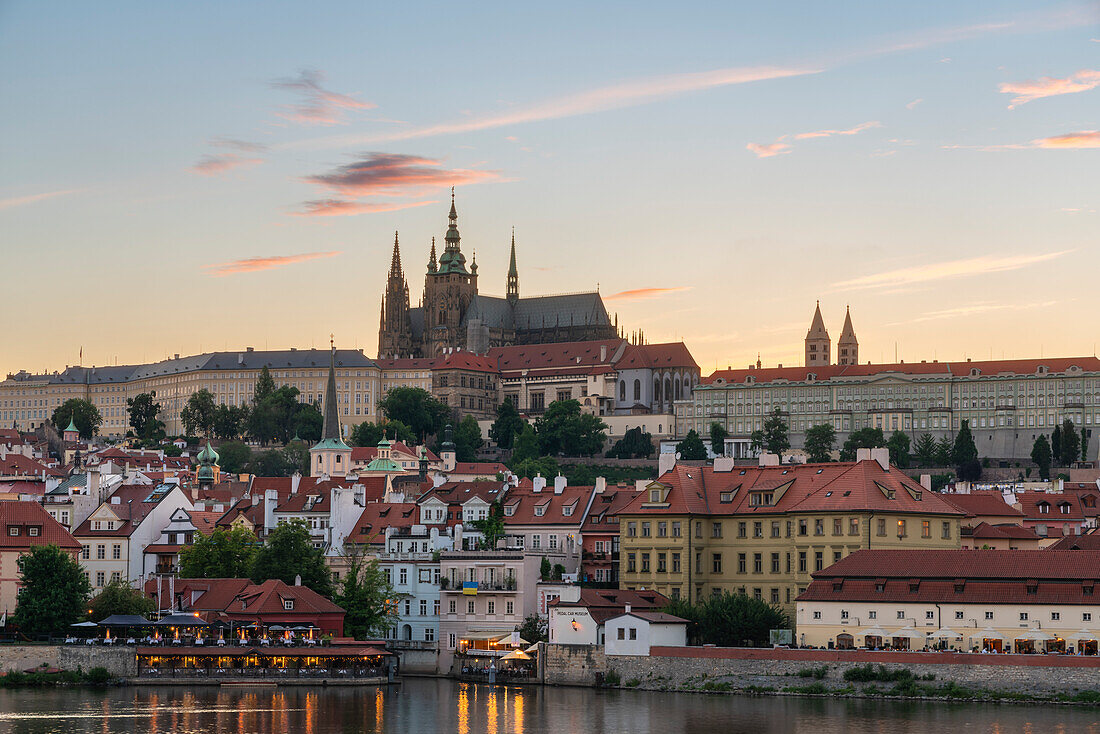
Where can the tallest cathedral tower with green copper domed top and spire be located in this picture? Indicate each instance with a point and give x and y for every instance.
(448, 290)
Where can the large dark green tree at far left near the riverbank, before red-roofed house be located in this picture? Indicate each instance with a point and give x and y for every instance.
(53, 591)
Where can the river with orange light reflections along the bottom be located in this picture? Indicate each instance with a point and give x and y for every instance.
(431, 706)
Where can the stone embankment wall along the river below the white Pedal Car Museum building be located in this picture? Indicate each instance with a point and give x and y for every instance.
(690, 669)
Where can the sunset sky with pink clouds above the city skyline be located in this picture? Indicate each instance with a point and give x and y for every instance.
(186, 178)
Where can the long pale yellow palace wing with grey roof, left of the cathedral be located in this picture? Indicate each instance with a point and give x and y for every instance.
(28, 401)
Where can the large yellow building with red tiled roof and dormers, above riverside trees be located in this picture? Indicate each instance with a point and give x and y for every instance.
(764, 531)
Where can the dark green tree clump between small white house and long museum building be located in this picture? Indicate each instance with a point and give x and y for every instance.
(730, 620)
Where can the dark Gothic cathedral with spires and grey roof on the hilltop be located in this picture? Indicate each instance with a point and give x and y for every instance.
(454, 315)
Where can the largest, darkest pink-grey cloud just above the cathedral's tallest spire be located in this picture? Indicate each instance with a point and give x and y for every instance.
(394, 174)
